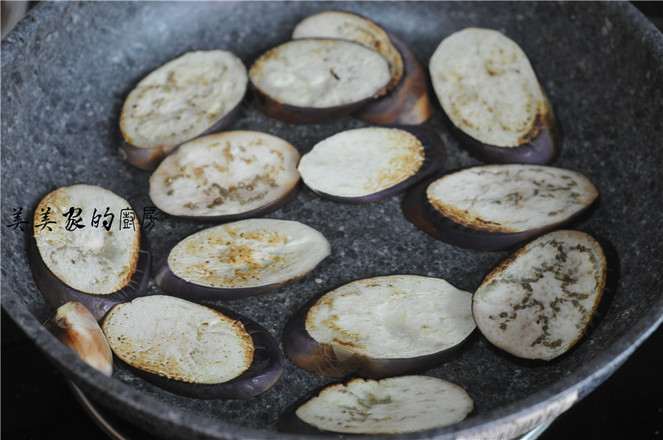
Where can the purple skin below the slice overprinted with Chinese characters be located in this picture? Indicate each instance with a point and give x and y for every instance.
(57, 293)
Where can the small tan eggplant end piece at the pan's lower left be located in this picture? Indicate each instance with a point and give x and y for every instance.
(77, 328)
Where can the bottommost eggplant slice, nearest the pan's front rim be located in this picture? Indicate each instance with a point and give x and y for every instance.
(393, 405)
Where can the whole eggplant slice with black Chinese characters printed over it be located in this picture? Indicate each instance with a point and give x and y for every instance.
(87, 247)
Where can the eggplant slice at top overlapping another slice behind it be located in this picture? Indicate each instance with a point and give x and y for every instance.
(317, 80)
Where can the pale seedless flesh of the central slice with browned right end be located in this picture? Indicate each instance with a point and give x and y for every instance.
(363, 161)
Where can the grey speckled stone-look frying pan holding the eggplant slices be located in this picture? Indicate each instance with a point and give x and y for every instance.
(67, 68)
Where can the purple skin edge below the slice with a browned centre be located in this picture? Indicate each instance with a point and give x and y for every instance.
(176, 286)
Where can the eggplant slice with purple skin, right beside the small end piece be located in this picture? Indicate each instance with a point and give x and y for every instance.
(194, 350)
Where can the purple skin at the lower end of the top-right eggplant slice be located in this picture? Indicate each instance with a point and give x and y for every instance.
(542, 146)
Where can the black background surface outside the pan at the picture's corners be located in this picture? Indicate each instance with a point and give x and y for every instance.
(38, 403)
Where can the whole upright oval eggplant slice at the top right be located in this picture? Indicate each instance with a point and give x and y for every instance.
(492, 97)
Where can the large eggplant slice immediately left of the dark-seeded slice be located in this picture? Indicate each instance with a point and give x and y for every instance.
(379, 327)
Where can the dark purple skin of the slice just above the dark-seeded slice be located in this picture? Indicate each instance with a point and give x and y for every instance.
(419, 211)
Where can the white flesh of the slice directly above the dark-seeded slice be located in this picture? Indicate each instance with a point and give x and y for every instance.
(512, 197)
